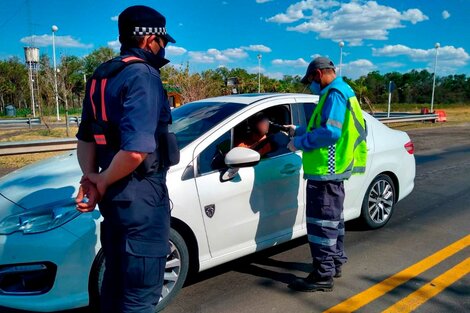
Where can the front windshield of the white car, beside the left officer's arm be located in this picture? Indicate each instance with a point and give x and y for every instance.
(194, 119)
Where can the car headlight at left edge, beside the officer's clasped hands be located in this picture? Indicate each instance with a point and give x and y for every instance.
(39, 220)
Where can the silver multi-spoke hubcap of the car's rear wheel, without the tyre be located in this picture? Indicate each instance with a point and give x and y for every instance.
(380, 201)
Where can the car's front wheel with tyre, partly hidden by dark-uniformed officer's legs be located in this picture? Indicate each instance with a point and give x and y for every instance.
(176, 271)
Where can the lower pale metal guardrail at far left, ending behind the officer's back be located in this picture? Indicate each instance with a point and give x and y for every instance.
(36, 146)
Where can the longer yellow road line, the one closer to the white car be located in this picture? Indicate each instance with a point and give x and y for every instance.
(361, 299)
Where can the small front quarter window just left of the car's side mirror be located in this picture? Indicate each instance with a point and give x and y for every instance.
(213, 157)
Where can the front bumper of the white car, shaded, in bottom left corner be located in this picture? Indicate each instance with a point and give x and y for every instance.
(70, 255)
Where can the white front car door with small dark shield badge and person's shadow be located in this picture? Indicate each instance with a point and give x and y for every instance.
(258, 207)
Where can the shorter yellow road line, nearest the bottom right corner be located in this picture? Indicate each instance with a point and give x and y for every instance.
(423, 294)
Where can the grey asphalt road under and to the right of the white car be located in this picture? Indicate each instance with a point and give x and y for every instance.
(433, 217)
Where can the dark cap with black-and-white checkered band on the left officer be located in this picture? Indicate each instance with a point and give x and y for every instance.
(141, 20)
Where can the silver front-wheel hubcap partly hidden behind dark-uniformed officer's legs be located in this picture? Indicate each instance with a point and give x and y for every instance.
(172, 270)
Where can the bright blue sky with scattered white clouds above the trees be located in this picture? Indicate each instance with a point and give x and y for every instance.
(384, 35)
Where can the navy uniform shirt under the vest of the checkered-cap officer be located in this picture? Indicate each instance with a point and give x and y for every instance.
(134, 100)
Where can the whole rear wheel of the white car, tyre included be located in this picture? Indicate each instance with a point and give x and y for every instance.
(379, 202)
